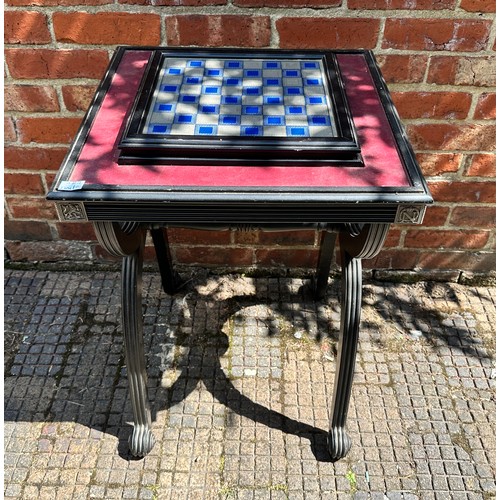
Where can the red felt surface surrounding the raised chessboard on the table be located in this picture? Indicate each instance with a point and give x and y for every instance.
(98, 160)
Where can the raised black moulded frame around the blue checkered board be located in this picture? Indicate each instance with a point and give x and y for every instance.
(148, 148)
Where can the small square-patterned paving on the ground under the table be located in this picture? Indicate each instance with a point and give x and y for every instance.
(241, 375)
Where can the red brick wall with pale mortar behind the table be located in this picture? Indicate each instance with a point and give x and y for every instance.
(438, 57)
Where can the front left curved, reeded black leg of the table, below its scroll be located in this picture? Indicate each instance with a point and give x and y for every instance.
(141, 442)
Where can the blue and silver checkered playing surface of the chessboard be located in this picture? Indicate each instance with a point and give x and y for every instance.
(241, 97)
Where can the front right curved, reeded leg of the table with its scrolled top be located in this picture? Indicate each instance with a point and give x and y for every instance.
(356, 243)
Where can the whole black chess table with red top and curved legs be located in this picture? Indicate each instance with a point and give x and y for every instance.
(241, 139)
